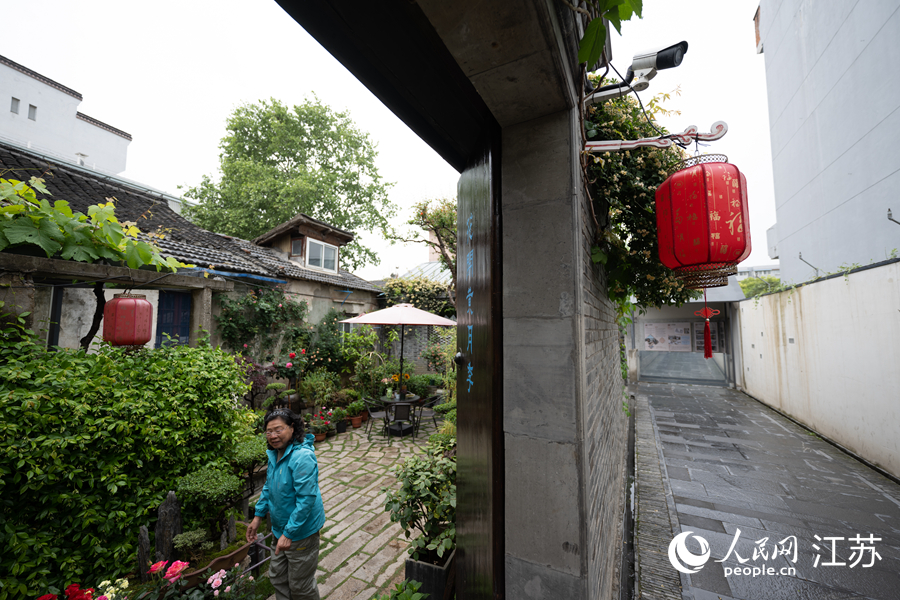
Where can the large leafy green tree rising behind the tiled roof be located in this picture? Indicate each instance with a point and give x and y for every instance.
(279, 161)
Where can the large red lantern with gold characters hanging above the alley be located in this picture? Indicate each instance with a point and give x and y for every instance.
(702, 222)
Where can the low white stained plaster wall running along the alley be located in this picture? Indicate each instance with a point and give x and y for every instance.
(840, 375)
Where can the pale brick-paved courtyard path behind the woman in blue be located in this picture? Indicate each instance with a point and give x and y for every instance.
(362, 554)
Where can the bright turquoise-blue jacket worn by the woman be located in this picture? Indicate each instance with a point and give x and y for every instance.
(291, 492)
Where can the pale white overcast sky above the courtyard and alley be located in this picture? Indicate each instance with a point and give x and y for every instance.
(170, 72)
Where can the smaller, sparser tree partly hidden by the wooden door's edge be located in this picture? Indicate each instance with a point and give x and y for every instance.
(435, 223)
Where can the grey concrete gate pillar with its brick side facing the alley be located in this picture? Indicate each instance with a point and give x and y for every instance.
(565, 433)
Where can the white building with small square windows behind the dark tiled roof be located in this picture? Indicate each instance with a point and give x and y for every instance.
(42, 115)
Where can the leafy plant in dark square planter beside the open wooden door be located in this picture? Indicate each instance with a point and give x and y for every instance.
(429, 511)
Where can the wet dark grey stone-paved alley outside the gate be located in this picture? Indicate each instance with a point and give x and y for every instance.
(713, 461)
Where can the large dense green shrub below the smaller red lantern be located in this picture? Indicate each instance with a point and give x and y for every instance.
(92, 443)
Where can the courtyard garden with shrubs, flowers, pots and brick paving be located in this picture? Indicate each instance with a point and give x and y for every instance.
(98, 442)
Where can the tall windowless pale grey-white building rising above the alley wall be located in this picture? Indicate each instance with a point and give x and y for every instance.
(833, 93)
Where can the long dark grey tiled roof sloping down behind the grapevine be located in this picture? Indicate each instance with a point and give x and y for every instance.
(183, 240)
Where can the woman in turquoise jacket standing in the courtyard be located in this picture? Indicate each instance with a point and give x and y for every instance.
(291, 494)
